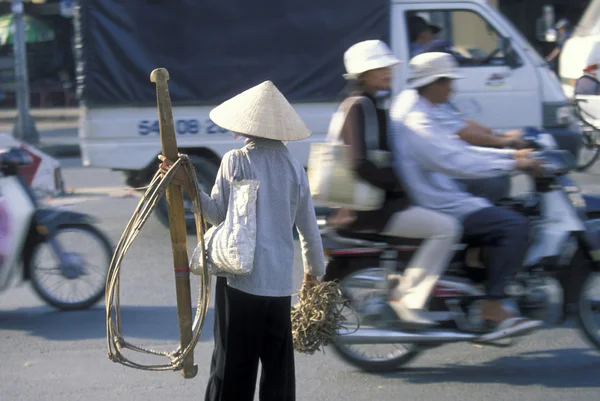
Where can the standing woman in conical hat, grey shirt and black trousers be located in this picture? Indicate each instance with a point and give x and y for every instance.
(252, 313)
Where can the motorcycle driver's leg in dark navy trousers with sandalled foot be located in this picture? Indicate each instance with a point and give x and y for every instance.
(505, 234)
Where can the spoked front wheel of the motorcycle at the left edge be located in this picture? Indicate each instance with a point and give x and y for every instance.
(75, 275)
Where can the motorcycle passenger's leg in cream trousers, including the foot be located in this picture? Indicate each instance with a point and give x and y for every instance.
(412, 289)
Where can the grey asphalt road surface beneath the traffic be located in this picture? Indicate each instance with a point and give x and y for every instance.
(56, 356)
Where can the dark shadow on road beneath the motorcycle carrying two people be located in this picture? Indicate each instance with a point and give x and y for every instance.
(563, 368)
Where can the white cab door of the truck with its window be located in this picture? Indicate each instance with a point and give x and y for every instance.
(500, 87)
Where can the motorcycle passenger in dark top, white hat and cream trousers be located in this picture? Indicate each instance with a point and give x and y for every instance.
(368, 65)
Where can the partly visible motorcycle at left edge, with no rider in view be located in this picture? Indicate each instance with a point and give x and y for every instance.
(47, 246)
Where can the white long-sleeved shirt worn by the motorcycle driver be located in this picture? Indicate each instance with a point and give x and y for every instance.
(429, 156)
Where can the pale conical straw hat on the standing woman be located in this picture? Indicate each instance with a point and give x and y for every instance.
(261, 111)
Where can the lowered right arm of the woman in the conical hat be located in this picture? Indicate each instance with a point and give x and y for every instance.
(311, 244)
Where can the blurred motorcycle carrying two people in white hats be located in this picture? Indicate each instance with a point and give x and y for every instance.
(561, 268)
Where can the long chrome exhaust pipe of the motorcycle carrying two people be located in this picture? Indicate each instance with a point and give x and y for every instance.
(379, 336)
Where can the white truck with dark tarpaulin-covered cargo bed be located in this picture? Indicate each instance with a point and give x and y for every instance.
(216, 50)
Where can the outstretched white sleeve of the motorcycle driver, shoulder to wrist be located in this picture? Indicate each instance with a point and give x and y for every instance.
(445, 154)
